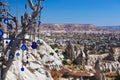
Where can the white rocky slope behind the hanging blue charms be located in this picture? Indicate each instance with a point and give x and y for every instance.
(33, 64)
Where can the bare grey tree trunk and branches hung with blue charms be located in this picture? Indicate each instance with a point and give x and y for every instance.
(25, 27)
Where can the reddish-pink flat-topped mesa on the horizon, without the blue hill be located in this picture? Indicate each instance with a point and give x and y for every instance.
(71, 27)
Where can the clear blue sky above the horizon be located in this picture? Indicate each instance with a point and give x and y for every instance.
(97, 12)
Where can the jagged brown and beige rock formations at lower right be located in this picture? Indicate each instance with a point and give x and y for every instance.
(100, 64)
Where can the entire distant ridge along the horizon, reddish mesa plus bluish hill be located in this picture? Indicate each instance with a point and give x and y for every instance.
(77, 27)
